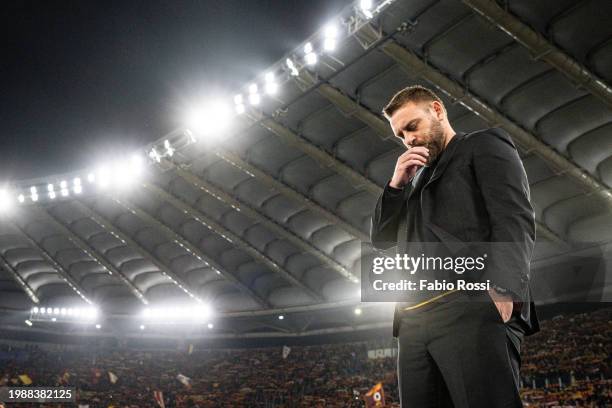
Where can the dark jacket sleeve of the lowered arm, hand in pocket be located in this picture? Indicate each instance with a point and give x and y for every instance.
(504, 187)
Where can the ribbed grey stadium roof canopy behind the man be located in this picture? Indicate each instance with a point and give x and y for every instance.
(268, 219)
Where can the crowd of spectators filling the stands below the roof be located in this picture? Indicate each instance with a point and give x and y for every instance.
(566, 364)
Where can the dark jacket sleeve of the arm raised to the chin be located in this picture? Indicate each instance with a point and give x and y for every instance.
(385, 221)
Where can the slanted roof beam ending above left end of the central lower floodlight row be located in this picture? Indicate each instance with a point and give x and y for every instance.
(89, 251)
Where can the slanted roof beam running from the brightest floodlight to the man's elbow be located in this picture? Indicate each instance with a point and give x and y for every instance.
(271, 182)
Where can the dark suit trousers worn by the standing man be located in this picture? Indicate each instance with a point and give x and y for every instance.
(459, 353)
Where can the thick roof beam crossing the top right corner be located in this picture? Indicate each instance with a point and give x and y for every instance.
(542, 49)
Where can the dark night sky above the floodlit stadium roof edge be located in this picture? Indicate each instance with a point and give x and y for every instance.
(82, 80)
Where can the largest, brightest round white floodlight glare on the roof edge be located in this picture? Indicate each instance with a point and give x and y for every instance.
(211, 119)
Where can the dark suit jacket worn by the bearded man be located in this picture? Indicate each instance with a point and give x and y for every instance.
(477, 193)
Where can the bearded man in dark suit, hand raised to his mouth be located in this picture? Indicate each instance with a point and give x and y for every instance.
(458, 348)
